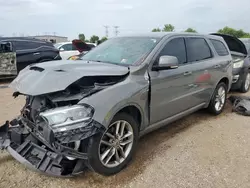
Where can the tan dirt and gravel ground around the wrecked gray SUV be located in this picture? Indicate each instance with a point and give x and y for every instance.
(197, 151)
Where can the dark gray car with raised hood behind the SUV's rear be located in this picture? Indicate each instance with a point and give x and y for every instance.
(241, 59)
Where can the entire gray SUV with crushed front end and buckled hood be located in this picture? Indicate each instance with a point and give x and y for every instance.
(91, 112)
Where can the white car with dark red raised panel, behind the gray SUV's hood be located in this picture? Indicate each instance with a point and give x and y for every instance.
(68, 49)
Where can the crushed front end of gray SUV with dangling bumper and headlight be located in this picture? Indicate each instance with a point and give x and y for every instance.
(51, 135)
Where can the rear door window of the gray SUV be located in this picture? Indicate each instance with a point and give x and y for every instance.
(197, 49)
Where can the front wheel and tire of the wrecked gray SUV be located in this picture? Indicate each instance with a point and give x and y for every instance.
(111, 151)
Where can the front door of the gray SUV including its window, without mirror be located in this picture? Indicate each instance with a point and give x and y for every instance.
(171, 90)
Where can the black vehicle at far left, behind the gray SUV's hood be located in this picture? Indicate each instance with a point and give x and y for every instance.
(18, 52)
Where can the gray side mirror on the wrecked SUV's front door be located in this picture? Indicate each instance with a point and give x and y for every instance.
(165, 63)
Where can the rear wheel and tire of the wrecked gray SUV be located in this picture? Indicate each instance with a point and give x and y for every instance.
(218, 100)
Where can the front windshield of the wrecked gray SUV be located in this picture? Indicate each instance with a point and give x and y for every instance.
(124, 50)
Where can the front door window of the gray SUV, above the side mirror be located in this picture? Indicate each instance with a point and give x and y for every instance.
(175, 47)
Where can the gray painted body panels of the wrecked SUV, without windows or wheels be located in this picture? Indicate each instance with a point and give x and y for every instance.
(173, 93)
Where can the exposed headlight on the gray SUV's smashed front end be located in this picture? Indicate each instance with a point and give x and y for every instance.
(68, 118)
